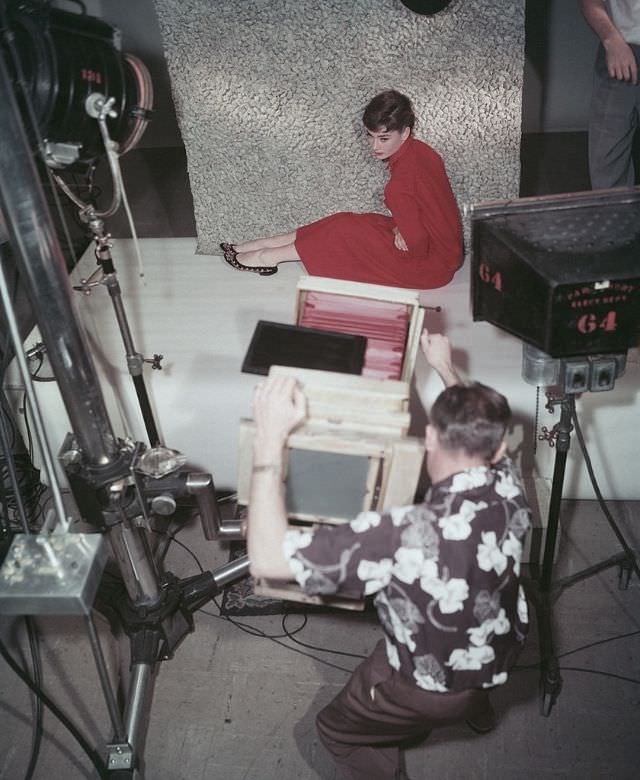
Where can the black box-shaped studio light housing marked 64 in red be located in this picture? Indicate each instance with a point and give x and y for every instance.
(560, 271)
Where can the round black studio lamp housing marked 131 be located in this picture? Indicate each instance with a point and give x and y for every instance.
(59, 59)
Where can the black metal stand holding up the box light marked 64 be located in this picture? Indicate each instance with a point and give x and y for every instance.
(545, 591)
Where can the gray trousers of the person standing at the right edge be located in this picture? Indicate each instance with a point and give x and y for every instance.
(615, 108)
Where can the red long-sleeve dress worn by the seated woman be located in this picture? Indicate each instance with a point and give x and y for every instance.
(360, 247)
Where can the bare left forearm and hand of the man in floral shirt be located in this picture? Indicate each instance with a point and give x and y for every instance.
(279, 407)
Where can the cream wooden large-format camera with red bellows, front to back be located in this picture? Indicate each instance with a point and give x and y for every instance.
(355, 435)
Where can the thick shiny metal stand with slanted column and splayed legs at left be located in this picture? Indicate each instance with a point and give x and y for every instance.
(122, 484)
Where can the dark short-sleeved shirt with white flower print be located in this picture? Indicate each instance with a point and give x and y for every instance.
(445, 574)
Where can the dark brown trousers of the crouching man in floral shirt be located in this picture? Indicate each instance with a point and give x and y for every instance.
(377, 711)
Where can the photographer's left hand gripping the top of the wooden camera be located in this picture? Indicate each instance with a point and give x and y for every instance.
(279, 406)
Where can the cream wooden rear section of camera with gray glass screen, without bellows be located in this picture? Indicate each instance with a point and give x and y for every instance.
(354, 439)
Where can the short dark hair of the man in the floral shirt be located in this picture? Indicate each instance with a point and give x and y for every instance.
(472, 418)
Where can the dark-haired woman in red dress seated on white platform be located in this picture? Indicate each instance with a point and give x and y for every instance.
(419, 246)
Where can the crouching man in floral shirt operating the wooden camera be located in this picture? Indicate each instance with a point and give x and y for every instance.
(445, 572)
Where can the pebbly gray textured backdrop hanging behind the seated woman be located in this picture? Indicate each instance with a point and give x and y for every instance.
(269, 95)
